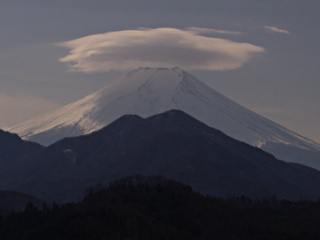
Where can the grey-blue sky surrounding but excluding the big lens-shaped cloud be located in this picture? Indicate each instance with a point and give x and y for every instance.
(282, 83)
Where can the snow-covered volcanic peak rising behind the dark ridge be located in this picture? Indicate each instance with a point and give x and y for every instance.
(149, 91)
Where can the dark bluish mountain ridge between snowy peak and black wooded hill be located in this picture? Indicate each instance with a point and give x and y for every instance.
(172, 144)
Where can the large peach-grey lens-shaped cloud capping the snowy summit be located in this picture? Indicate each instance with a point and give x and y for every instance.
(161, 47)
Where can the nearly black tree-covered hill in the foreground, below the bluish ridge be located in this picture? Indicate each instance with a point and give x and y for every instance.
(158, 208)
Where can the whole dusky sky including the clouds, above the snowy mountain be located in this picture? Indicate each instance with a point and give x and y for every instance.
(264, 55)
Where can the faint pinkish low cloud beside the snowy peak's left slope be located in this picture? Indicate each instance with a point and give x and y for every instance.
(17, 109)
